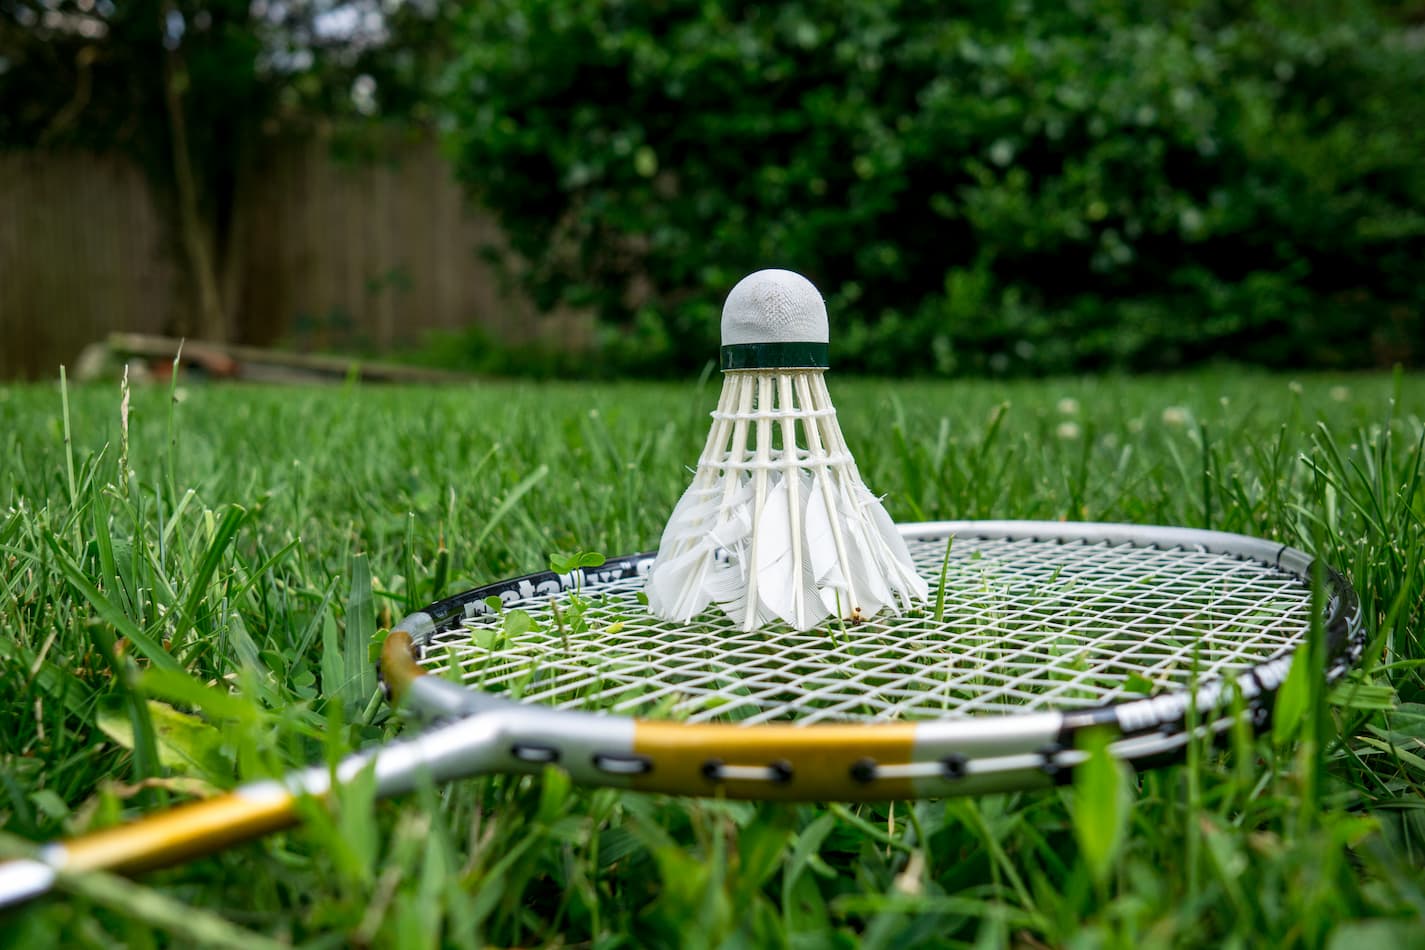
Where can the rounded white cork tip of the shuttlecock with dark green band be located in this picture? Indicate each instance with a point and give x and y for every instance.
(774, 320)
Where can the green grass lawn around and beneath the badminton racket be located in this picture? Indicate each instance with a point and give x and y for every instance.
(192, 603)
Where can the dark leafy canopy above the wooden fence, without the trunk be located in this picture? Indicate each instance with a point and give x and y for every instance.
(89, 73)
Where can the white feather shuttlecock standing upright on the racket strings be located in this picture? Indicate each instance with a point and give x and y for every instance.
(777, 523)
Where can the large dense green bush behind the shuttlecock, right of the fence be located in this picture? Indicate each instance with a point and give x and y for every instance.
(1024, 189)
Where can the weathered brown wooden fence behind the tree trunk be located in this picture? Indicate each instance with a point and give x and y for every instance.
(327, 253)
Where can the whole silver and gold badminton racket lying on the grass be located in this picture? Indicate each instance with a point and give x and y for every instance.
(1032, 635)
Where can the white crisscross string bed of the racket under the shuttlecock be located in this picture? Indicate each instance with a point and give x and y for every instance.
(1025, 626)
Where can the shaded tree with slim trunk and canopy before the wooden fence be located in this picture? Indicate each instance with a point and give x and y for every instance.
(187, 88)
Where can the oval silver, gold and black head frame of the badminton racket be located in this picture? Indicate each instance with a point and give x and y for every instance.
(926, 758)
